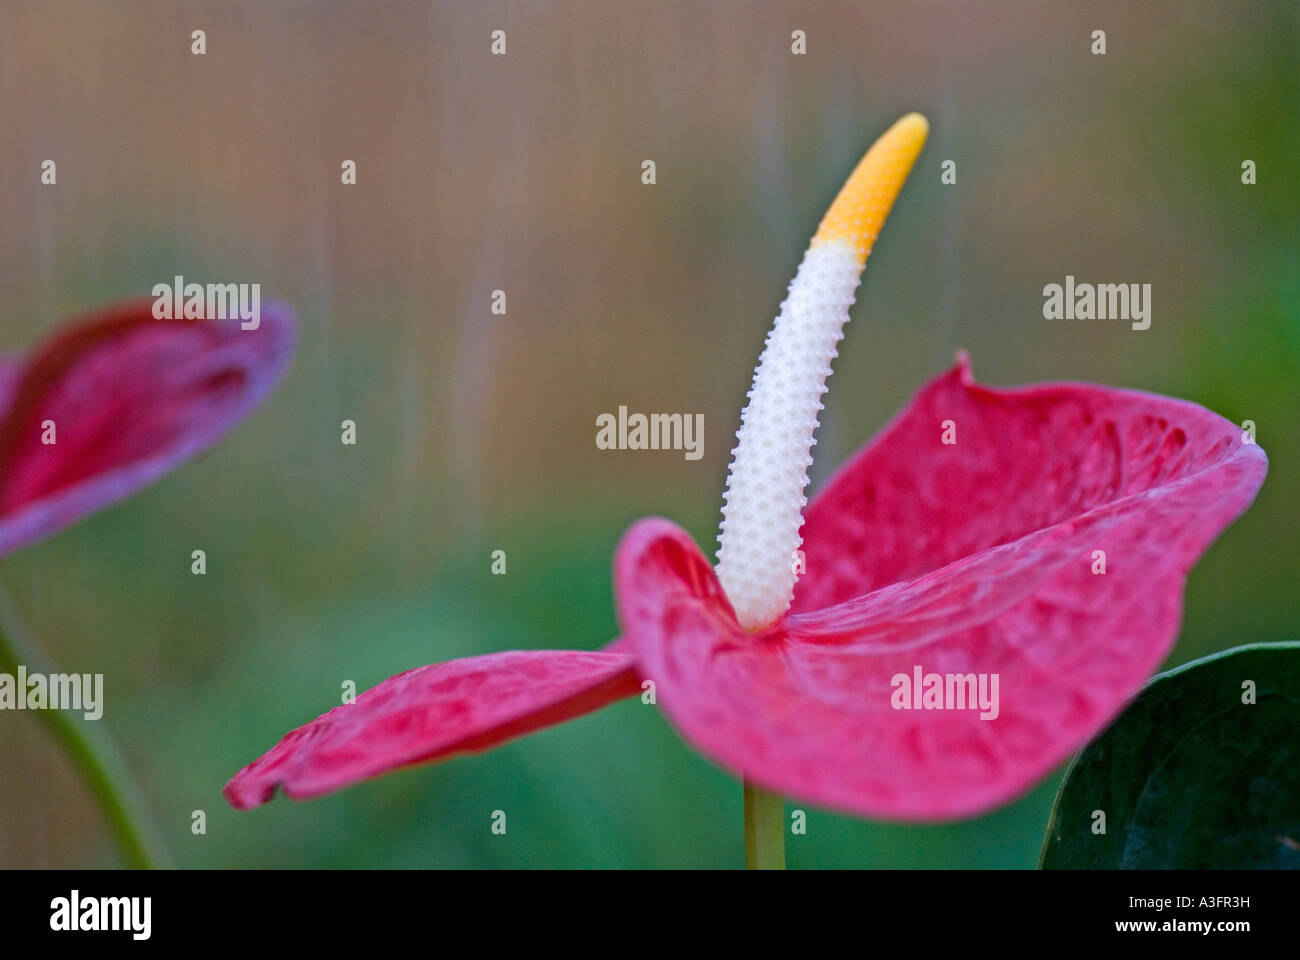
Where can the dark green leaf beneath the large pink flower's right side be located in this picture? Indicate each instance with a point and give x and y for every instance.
(1191, 776)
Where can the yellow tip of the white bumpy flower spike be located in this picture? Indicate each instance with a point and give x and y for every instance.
(866, 198)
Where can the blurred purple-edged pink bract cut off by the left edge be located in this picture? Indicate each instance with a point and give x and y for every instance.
(125, 399)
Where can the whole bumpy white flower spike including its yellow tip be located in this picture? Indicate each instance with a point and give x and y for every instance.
(769, 474)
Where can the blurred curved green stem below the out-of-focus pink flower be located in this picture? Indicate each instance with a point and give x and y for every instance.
(93, 751)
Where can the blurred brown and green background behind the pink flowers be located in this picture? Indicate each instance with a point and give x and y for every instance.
(476, 433)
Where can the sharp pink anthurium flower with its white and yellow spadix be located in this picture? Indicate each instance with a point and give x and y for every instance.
(1039, 535)
